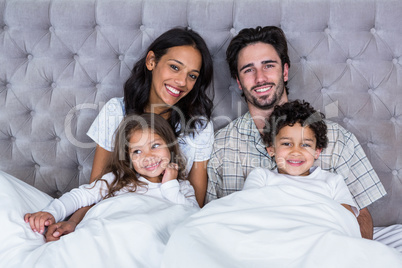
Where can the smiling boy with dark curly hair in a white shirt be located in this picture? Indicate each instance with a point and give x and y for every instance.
(295, 136)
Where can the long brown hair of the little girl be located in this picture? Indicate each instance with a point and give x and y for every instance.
(121, 165)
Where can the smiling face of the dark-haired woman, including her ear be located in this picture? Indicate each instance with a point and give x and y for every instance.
(173, 77)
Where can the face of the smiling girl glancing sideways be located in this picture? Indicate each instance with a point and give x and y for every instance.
(149, 154)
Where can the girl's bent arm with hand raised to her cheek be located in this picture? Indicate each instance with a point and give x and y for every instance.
(179, 193)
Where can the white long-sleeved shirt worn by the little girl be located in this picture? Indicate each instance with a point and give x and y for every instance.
(178, 192)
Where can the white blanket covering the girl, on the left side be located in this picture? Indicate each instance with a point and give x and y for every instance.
(130, 230)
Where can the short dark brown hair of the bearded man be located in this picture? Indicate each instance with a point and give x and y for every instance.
(271, 35)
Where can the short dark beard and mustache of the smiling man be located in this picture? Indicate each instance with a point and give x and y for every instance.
(263, 103)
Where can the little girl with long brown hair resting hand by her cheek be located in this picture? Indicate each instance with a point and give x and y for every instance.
(146, 160)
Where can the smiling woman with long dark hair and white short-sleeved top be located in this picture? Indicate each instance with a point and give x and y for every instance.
(172, 80)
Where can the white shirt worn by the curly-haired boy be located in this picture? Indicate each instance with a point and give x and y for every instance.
(319, 181)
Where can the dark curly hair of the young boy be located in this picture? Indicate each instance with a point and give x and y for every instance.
(294, 112)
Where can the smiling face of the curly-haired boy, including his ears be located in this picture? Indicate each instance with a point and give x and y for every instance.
(295, 150)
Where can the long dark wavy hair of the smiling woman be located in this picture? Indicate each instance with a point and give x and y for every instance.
(197, 103)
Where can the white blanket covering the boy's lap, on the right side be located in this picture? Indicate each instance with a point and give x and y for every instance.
(280, 226)
